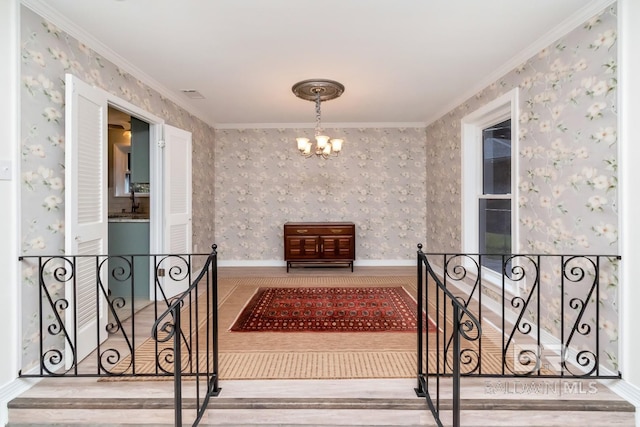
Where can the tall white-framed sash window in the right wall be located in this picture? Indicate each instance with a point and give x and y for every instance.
(488, 182)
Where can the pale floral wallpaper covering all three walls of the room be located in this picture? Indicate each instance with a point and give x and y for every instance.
(382, 181)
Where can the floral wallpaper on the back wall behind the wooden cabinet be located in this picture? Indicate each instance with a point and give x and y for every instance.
(377, 182)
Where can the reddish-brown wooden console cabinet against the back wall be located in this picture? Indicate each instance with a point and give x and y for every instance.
(307, 243)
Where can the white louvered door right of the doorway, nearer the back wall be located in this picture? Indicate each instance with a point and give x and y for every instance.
(177, 208)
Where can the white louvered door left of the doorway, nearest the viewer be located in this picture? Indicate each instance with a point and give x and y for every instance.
(86, 223)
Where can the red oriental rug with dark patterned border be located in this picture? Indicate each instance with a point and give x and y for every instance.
(374, 309)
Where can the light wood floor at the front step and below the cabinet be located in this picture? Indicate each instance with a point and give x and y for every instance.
(486, 401)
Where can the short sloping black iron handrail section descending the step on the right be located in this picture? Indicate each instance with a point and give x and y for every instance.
(444, 323)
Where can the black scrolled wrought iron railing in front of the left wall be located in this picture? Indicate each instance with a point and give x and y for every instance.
(114, 299)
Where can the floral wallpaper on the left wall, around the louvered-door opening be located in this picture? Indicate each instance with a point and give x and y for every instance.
(47, 54)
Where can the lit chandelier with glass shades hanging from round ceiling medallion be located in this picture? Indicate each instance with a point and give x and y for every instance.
(318, 90)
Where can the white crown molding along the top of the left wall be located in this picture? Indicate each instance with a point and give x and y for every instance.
(53, 16)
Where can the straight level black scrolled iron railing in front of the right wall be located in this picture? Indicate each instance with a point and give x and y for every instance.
(539, 316)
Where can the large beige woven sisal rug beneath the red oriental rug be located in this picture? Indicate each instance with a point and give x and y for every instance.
(306, 355)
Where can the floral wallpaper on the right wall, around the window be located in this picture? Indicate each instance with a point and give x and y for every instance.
(567, 184)
